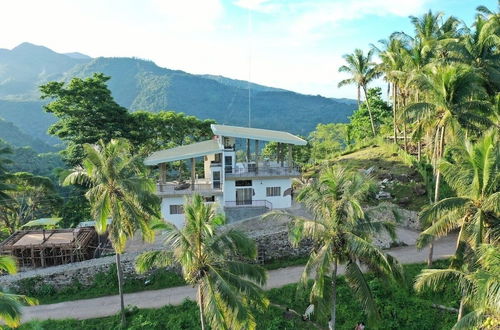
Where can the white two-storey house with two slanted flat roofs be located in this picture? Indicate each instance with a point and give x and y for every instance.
(241, 189)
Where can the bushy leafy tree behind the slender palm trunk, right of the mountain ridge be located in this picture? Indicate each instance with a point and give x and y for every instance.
(380, 112)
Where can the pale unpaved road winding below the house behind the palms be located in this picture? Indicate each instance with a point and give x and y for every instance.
(105, 306)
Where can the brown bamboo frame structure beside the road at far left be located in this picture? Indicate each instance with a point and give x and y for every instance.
(44, 248)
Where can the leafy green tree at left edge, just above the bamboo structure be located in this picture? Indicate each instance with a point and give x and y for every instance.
(33, 197)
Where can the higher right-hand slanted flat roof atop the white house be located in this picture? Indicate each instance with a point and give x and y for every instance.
(257, 134)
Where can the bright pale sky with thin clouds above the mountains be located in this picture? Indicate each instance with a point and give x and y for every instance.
(291, 44)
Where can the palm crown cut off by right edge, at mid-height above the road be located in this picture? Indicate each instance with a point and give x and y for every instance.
(474, 175)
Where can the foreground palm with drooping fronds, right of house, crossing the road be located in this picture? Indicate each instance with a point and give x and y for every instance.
(341, 232)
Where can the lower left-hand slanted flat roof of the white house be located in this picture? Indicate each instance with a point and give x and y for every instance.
(193, 150)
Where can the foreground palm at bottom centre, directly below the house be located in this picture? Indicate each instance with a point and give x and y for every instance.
(210, 257)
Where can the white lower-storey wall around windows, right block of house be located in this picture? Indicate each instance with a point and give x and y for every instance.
(259, 186)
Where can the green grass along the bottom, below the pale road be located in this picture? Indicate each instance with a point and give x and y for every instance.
(399, 307)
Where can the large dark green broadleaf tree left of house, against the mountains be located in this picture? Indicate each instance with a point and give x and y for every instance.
(87, 113)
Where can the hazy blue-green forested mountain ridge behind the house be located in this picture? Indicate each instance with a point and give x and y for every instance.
(142, 85)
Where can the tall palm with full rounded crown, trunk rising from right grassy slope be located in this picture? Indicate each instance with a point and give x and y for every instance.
(456, 99)
